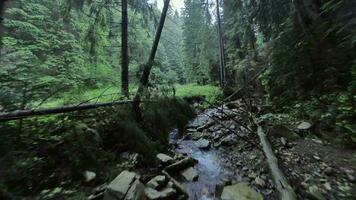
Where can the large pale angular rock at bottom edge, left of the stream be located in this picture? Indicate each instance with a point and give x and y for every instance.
(119, 187)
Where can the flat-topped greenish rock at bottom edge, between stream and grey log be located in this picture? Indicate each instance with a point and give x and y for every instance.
(240, 191)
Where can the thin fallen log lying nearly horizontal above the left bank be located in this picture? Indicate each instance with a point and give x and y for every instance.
(50, 111)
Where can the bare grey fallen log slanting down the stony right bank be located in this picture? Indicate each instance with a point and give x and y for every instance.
(283, 187)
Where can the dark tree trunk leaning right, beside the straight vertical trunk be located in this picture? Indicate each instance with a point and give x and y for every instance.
(148, 66)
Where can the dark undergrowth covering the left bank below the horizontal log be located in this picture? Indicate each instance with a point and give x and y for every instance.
(47, 153)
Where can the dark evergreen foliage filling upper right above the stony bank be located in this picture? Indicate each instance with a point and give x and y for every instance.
(310, 50)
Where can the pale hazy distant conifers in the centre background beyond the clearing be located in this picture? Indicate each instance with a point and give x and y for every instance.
(200, 49)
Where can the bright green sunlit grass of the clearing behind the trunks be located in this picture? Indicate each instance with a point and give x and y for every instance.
(112, 93)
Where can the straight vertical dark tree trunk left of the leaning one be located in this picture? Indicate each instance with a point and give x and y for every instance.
(124, 51)
